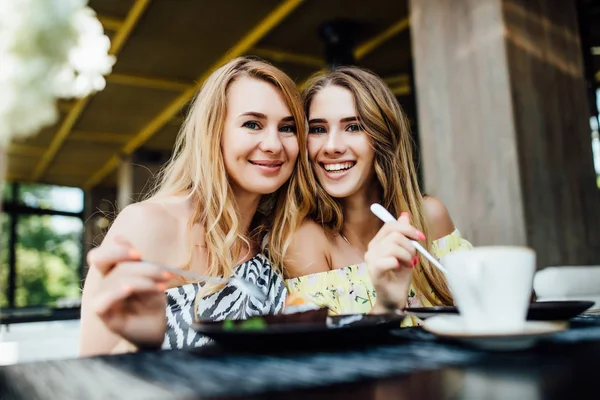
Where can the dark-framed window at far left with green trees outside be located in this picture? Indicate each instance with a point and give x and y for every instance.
(42, 254)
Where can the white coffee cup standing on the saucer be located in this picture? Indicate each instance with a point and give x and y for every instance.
(491, 286)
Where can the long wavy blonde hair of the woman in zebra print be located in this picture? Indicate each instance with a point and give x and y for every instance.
(197, 170)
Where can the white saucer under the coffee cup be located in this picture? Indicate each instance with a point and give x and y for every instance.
(452, 327)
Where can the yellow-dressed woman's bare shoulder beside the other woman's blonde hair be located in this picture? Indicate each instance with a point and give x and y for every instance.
(308, 252)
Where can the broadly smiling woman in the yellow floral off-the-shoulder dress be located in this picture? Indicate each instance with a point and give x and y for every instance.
(361, 152)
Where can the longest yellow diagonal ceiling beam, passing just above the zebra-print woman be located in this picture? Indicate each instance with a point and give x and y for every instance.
(241, 47)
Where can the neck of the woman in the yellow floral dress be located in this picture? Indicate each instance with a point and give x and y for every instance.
(360, 224)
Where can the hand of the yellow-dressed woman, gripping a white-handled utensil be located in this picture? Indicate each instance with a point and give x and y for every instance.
(390, 259)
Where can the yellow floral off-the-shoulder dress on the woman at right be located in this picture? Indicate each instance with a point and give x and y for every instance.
(349, 290)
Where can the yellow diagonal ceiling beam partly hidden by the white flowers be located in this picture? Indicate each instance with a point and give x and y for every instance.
(117, 43)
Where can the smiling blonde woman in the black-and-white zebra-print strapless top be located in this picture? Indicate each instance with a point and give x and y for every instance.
(240, 154)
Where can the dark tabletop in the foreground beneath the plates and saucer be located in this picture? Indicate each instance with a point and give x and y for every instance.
(412, 364)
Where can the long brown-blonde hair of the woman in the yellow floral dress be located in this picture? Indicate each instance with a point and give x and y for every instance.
(388, 128)
